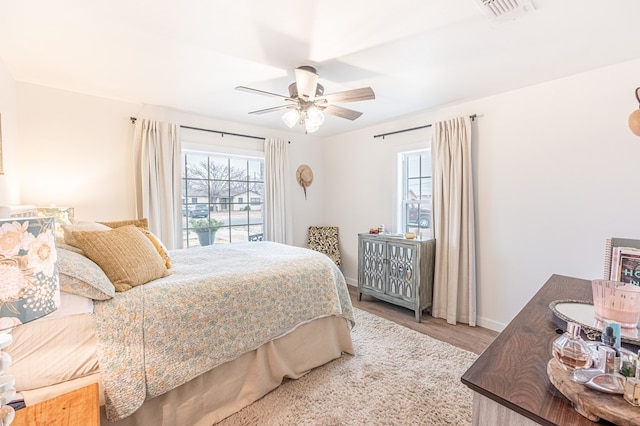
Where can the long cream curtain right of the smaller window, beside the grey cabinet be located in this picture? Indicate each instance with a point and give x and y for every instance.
(454, 291)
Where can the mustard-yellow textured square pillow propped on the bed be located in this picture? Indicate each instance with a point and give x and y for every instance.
(125, 254)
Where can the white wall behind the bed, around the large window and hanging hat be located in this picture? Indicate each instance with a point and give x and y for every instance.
(76, 150)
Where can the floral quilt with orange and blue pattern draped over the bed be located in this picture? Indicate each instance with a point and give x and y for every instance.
(219, 302)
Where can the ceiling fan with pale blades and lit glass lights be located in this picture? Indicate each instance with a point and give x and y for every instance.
(307, 102)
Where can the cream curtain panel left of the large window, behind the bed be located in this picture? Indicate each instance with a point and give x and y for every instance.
(157, 157)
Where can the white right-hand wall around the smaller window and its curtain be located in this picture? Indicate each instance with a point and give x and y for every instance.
(556, 171)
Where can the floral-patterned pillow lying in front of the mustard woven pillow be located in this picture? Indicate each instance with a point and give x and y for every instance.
(80, 275)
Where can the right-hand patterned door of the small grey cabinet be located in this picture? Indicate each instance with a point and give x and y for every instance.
(403, 259)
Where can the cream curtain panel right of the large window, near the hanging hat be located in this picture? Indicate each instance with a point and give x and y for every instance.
(277, 213)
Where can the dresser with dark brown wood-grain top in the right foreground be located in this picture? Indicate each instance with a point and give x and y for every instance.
(509, 379)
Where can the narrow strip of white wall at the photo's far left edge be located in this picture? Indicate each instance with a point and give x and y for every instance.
(9, 191)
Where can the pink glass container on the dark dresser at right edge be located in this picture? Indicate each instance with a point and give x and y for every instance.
(616, 301)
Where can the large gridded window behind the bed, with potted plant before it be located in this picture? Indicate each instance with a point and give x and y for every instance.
(215, 187)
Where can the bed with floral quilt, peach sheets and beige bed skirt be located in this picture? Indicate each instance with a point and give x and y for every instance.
(218, 331)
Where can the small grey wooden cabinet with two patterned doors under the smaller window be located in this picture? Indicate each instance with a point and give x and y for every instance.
(397, 270)
